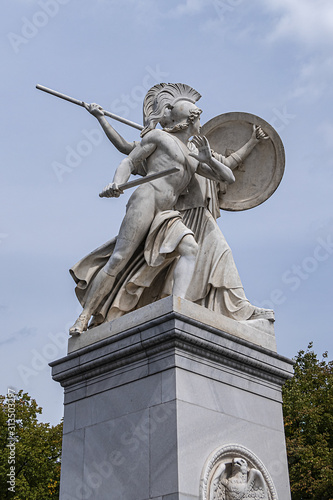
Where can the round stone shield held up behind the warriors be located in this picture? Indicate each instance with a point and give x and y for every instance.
(260, 173)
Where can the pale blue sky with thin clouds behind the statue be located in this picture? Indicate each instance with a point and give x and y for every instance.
(272, 58)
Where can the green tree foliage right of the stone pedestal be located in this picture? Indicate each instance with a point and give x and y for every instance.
(308, 417)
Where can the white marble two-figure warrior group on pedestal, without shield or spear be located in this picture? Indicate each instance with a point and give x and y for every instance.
(169, 241)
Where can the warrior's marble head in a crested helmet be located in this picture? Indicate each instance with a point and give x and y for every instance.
(172, 105)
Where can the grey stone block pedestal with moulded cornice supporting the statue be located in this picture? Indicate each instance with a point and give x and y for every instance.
(151, 396)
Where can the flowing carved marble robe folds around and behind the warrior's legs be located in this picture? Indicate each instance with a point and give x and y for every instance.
(148, 275)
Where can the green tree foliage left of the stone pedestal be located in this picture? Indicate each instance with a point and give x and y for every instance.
(37, 450)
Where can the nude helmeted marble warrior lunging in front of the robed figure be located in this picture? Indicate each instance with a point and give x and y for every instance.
(150, 214)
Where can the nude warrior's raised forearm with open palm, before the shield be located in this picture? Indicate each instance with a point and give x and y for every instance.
(208, 166)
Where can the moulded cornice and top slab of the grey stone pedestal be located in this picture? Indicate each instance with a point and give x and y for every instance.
(168, 329)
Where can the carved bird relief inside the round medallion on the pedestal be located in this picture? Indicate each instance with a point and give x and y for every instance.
(238, 482)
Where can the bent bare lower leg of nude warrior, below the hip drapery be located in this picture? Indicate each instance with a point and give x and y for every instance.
(188, 249)
